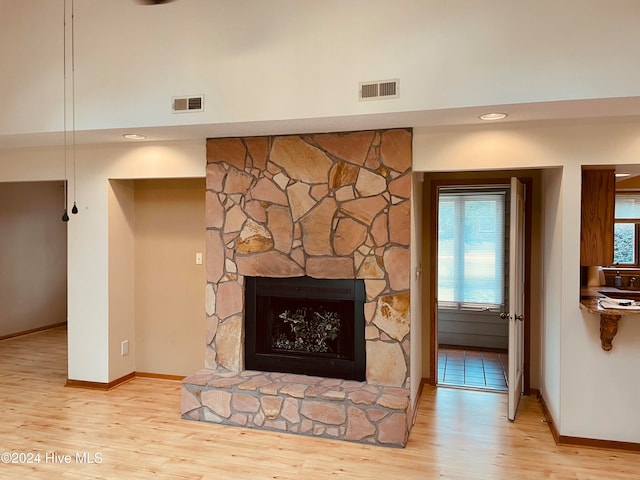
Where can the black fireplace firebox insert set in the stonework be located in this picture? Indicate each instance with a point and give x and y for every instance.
(306, 326)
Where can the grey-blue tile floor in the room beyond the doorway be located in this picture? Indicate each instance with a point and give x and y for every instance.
(472, 368)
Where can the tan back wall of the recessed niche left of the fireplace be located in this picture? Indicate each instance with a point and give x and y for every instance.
(170, 326)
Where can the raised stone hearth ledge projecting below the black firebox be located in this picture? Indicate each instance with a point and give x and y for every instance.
(299, 404)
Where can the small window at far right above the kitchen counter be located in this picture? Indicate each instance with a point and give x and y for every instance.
(626, 229)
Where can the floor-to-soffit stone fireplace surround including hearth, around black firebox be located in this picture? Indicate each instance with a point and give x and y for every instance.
(326, 206)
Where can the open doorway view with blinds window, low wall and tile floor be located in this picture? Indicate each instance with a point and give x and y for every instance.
(472, 286)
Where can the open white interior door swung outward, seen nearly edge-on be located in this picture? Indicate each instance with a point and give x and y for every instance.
(516, 296)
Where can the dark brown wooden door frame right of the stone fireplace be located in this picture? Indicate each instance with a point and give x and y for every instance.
(472, 178)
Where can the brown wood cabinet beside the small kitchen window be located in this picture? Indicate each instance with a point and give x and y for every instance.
(597, 217)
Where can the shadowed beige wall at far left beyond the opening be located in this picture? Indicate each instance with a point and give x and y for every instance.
(33, 255)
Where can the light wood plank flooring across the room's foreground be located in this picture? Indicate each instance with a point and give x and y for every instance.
(137, 431)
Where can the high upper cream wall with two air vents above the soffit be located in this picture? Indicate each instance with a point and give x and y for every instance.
(260, 60)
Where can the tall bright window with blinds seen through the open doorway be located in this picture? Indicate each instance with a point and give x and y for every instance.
(471, 250)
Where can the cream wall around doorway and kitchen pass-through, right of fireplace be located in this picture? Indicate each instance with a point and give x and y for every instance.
(578, 375)
